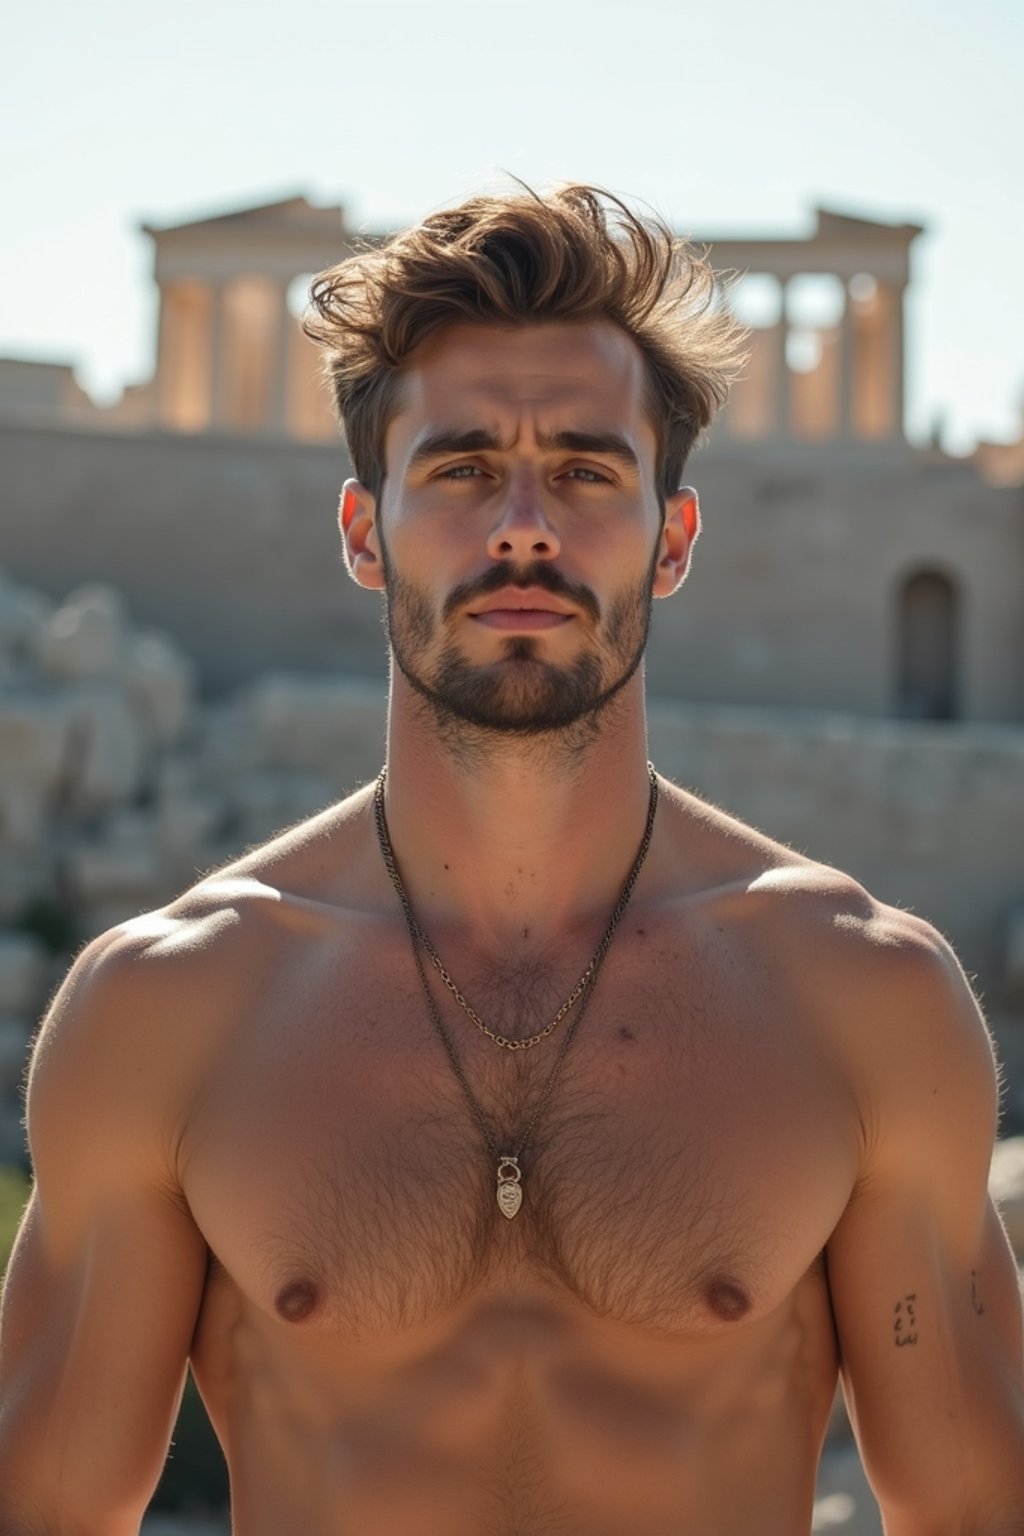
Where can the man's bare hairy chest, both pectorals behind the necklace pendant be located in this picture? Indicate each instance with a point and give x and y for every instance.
(685, 1173)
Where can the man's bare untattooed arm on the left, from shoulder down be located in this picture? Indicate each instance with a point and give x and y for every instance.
(108, 1270)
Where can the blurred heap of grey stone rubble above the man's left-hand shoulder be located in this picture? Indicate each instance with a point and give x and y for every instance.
(119, 787)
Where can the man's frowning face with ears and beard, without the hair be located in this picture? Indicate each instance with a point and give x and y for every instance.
(520, 537)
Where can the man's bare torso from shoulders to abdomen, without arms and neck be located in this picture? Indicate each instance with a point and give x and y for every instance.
(649, 1346)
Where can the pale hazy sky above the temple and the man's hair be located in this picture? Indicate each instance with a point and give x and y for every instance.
(725, 118)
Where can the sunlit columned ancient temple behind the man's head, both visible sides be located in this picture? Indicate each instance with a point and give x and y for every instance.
(827, 316)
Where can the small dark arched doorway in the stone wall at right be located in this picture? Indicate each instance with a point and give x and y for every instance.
(927, 637)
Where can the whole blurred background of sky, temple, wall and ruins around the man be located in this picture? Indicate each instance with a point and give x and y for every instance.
(183, 664)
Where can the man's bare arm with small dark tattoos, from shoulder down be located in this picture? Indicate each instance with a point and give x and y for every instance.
(923, 1282)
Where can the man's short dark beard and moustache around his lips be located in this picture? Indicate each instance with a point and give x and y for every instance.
(521, 695)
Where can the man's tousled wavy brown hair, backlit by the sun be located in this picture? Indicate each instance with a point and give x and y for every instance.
(576, 254)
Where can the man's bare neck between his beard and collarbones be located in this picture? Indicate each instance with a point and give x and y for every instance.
(510, 842)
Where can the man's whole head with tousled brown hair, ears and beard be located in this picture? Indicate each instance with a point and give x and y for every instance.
(521, 382)
